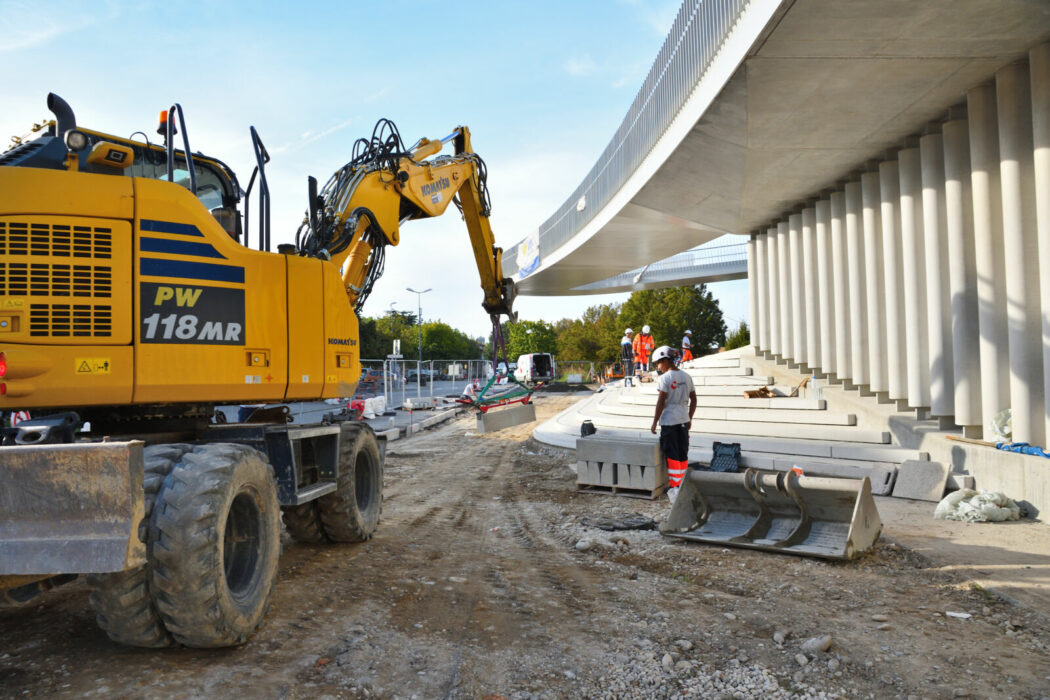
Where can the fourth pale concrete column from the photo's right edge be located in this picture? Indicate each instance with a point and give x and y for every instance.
(963, 278)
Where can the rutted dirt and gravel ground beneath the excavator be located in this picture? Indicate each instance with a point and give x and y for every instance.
(478, 586)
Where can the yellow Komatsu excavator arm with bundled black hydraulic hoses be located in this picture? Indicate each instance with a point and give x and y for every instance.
(361, 210)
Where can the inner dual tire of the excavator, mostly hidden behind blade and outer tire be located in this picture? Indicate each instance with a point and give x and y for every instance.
(122, 602)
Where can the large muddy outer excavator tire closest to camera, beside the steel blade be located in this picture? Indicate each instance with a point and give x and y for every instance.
(216, 539)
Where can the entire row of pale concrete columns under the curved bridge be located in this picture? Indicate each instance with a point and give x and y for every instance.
(926, 279)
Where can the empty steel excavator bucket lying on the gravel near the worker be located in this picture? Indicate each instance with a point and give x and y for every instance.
(833, 519)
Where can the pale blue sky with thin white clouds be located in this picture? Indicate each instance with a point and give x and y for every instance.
(542, 86)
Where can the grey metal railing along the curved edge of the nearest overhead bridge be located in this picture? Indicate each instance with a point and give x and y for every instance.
(699, 32)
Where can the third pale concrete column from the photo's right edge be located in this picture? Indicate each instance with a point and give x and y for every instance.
(989, 249)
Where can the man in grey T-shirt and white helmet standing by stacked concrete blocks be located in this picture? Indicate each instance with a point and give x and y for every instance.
(676, 406)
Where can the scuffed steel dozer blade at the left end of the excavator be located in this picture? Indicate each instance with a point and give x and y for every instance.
(72, 508)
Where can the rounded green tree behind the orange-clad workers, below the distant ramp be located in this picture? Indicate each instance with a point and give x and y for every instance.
(671, 311)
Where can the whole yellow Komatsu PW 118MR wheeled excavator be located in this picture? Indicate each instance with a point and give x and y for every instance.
(132, 304)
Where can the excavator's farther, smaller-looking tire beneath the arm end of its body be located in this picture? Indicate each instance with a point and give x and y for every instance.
(351, 514)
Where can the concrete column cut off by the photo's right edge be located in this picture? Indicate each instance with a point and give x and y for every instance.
(1039, 61)
